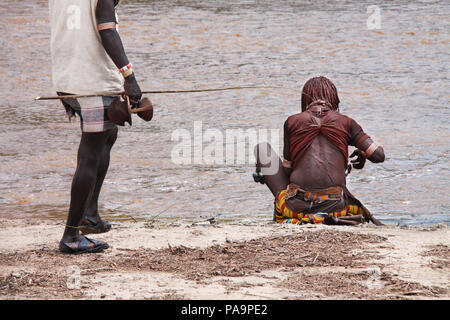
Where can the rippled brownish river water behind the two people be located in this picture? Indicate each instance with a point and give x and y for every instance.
(392, 78)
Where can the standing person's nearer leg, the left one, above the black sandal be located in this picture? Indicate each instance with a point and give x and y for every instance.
(84, 182)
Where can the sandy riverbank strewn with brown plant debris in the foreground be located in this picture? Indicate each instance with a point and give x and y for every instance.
(223, 261)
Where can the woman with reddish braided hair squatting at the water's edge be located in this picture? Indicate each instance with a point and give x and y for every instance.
(309, 185)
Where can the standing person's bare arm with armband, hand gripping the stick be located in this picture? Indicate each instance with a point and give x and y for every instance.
(106, 23)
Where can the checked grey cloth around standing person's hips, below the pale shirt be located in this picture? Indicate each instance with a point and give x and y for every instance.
(93, 112)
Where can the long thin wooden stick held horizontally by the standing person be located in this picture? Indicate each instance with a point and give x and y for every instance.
(157, 92)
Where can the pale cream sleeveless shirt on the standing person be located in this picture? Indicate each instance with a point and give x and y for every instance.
(80, 64)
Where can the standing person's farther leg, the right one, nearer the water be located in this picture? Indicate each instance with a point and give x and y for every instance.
(92, 209)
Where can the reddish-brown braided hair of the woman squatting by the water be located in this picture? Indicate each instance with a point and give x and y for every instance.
(319, 88)
